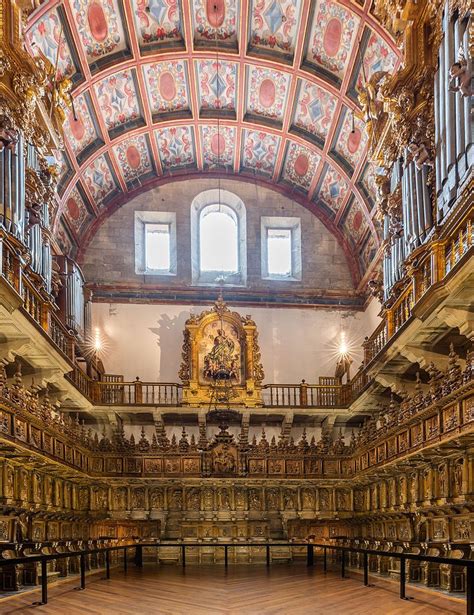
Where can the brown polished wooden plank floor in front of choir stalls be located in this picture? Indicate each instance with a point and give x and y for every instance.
(282, 589)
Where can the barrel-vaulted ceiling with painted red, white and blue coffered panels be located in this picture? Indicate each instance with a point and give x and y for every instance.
(264, 89)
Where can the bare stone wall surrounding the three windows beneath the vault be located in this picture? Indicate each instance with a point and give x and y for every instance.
(110, 258)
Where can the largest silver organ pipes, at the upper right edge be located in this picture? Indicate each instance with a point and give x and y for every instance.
(453, 104)
